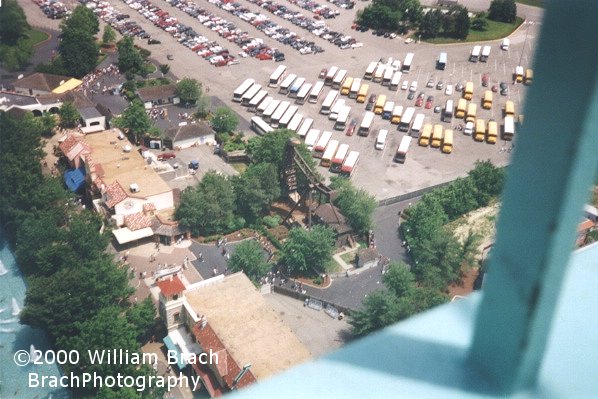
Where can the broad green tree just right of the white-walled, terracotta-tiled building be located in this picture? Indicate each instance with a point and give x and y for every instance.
(208, 207)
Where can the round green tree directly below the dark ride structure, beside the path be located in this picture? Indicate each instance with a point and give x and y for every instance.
(308, 252)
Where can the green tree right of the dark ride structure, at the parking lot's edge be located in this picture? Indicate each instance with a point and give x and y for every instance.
(358, 206)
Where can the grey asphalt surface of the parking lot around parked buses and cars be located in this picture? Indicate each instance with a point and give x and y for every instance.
(376, 172)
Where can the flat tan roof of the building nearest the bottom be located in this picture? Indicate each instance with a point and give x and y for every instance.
(247, 326)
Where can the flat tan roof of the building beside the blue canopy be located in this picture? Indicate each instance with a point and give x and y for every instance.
(125, 167)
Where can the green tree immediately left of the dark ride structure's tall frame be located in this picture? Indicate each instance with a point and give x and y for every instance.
(255, 190)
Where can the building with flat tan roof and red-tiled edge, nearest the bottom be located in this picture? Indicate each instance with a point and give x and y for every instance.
(227, 315)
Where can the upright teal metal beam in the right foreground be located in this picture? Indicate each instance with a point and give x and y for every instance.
(554, 164)
